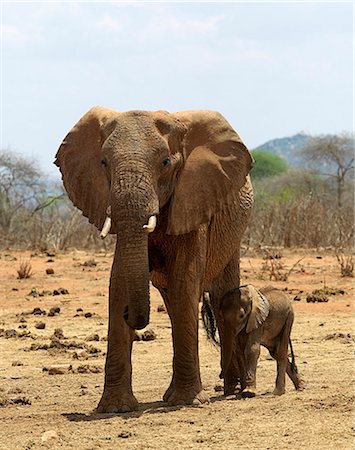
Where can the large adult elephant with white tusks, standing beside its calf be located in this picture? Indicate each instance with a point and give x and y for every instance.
(176, 191)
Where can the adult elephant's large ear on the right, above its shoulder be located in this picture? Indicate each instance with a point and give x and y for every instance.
(216, 165)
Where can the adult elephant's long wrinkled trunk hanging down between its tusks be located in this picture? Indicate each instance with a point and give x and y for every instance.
(131, 209)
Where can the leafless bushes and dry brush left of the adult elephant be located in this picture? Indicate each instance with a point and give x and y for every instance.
(36, 214)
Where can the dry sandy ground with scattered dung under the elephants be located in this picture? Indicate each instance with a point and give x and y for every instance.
(35, 402)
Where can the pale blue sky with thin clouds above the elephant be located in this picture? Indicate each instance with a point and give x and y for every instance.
(273, 69)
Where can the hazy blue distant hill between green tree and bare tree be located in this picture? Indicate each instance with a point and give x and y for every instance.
(287, 148)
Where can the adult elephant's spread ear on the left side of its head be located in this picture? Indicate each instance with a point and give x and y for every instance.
(79, 160)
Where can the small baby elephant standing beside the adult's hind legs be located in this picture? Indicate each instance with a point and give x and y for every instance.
(252, 318)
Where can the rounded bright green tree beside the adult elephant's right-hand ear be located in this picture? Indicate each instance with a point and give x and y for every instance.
(267, 165)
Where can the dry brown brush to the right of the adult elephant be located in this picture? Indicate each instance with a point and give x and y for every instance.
(295, 210)
